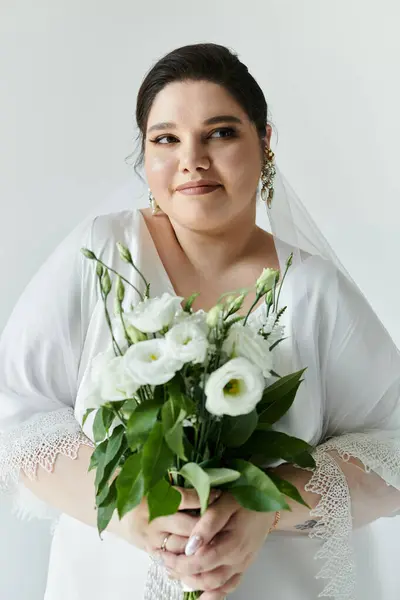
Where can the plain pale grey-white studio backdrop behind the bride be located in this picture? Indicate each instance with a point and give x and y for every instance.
(69, 74)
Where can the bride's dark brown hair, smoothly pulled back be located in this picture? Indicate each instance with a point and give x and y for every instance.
(202, 62)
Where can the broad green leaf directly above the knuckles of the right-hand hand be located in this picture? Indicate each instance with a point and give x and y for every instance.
(254, 490)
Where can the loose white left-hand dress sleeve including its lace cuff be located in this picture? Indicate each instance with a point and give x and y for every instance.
(40, 351)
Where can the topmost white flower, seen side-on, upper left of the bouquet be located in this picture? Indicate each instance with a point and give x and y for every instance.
(154, 314)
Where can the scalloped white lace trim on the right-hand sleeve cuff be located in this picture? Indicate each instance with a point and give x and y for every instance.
(334, 508)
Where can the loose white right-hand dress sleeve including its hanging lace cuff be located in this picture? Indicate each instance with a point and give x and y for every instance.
(358, 460)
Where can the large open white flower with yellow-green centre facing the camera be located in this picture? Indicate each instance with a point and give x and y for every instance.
(234, 389)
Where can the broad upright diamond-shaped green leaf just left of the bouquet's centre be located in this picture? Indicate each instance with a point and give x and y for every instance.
(157, 457)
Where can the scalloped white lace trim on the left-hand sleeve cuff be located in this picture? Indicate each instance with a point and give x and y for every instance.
(37, 442)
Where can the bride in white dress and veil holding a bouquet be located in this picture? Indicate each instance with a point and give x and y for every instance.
(205, 144)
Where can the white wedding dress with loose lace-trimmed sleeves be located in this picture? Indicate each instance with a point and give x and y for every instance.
(353, 399)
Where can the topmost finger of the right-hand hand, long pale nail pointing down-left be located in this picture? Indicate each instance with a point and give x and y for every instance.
(211, 523)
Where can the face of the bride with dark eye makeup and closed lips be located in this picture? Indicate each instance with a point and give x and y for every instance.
(197, 131)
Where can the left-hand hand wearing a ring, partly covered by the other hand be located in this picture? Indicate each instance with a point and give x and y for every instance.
(136, 529)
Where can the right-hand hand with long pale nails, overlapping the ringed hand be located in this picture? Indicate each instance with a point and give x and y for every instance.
(222, 545)
